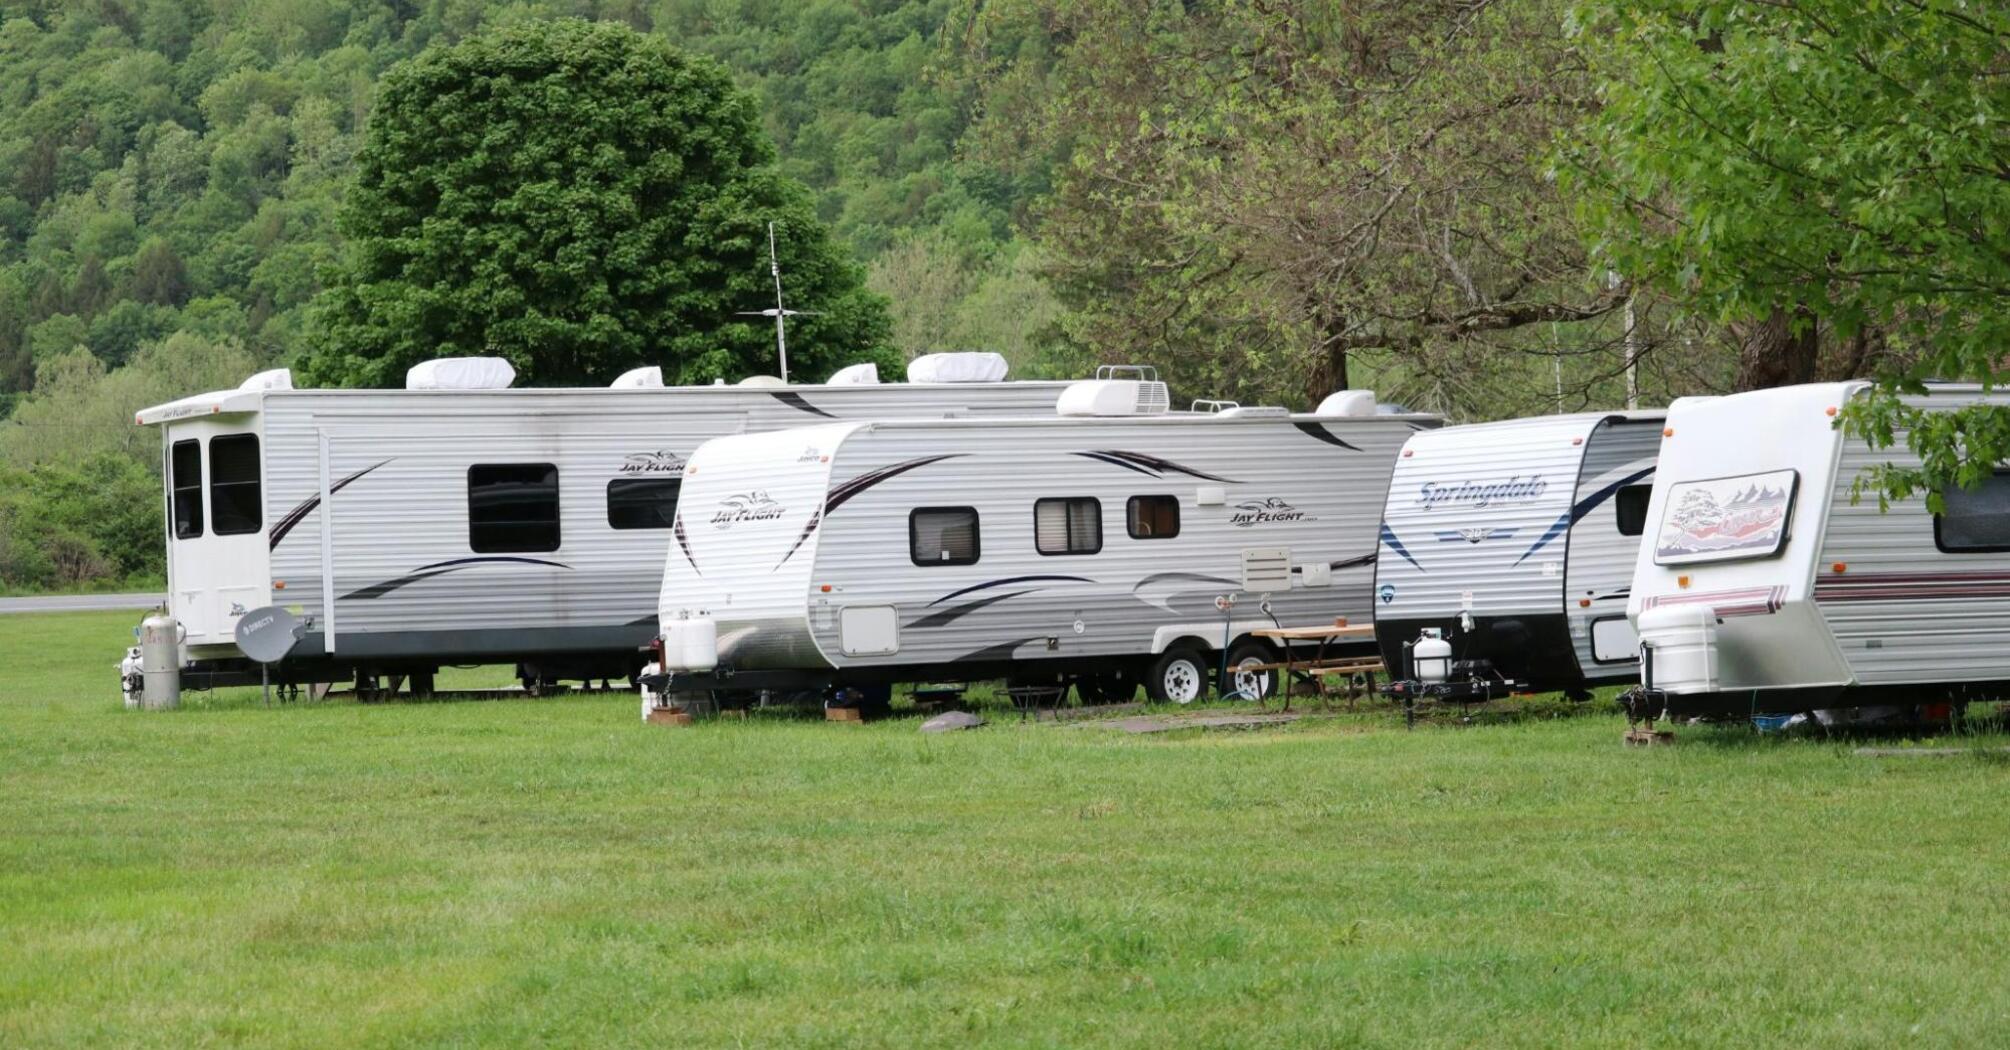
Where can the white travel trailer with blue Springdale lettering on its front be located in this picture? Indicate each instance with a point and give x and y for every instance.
(1506, 556)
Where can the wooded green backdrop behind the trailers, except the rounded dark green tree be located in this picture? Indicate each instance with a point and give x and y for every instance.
(1474, 208)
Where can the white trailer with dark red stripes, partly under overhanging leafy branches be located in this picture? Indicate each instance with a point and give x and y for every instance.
(1766, 588)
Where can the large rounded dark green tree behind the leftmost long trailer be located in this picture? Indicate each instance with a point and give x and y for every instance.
(580, 200)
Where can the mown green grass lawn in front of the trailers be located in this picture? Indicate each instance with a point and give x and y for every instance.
(554, 872)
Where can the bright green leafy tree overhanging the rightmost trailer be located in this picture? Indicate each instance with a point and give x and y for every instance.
(1820, 168)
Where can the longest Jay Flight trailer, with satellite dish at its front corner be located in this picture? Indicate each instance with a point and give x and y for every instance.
(461, 520)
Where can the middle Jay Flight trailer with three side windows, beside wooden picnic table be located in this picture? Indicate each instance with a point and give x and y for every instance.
(1086, 548)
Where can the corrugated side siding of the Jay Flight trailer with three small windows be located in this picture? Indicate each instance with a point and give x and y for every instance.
(1285, 484)
